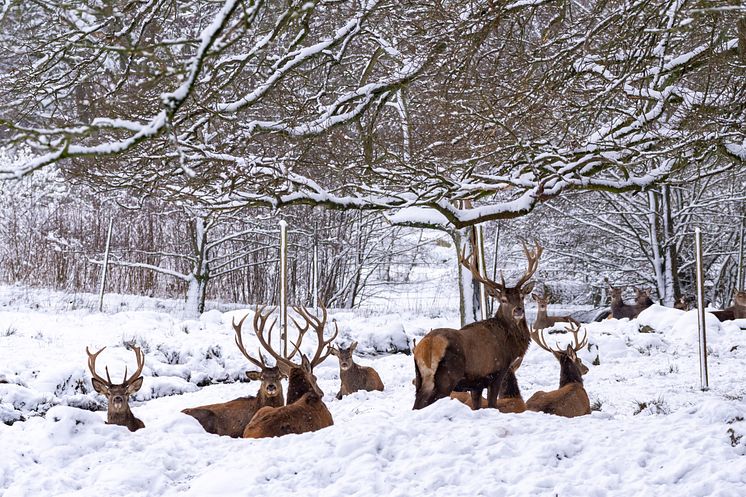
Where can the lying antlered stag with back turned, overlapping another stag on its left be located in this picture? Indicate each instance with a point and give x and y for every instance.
(305, 410)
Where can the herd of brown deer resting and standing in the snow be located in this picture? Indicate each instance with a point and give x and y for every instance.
(448, 362)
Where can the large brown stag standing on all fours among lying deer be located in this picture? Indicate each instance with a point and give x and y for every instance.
(478, 355)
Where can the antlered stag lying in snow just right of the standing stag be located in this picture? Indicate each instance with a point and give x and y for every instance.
(570, 399)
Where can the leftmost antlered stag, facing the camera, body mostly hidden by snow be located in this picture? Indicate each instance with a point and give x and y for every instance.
(117, 395)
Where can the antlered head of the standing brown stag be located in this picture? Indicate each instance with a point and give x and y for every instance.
(511, 298)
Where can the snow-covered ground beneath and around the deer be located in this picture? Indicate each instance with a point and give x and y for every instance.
(653, 431)
